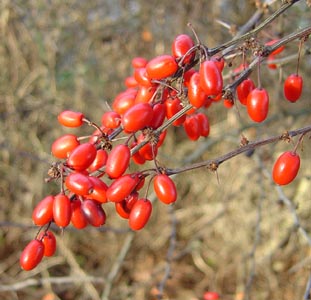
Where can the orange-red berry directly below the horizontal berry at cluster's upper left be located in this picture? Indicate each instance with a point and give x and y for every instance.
(62, 147)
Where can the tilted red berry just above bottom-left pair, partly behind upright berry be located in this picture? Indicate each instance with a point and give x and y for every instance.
(43, 212)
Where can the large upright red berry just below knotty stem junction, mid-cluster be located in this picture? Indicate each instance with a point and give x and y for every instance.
(118, 161)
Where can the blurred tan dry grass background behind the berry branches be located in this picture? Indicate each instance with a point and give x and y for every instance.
(232, 234)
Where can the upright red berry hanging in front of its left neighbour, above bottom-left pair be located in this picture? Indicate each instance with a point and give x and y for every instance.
(61, 210)
